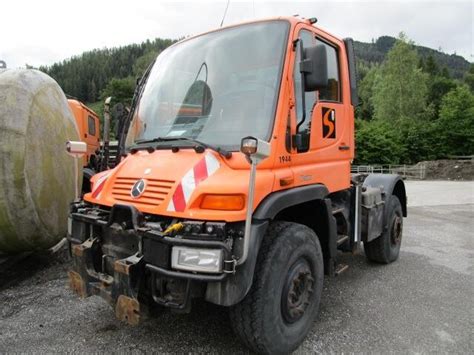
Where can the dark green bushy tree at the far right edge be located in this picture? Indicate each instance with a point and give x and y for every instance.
(456, 122)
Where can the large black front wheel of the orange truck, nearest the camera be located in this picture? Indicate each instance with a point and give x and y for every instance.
(282, 304)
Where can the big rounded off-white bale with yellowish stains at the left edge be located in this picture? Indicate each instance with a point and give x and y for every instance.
(36, 175)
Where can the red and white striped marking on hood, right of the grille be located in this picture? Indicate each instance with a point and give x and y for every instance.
(207, 166)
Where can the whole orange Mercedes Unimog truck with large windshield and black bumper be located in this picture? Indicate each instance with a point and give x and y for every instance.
(235, 184)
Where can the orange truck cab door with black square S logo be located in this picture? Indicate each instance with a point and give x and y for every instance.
(326, 159)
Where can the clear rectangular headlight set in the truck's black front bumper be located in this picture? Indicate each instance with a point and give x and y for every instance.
(192, 259)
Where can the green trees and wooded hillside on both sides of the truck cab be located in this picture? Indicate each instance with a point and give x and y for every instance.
(416, 103)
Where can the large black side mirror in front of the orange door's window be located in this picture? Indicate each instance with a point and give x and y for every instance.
(314, 66)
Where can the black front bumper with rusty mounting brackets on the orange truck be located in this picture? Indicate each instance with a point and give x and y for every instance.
(126, 260)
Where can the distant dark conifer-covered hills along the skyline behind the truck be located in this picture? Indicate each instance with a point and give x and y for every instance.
(87, 75)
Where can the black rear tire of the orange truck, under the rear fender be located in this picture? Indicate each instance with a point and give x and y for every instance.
(386, 248)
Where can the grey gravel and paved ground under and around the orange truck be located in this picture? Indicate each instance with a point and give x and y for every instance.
(420, 304)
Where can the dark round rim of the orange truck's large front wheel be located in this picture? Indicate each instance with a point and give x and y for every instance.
(297, 290)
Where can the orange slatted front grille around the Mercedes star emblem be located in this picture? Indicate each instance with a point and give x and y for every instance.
(155, 191)
